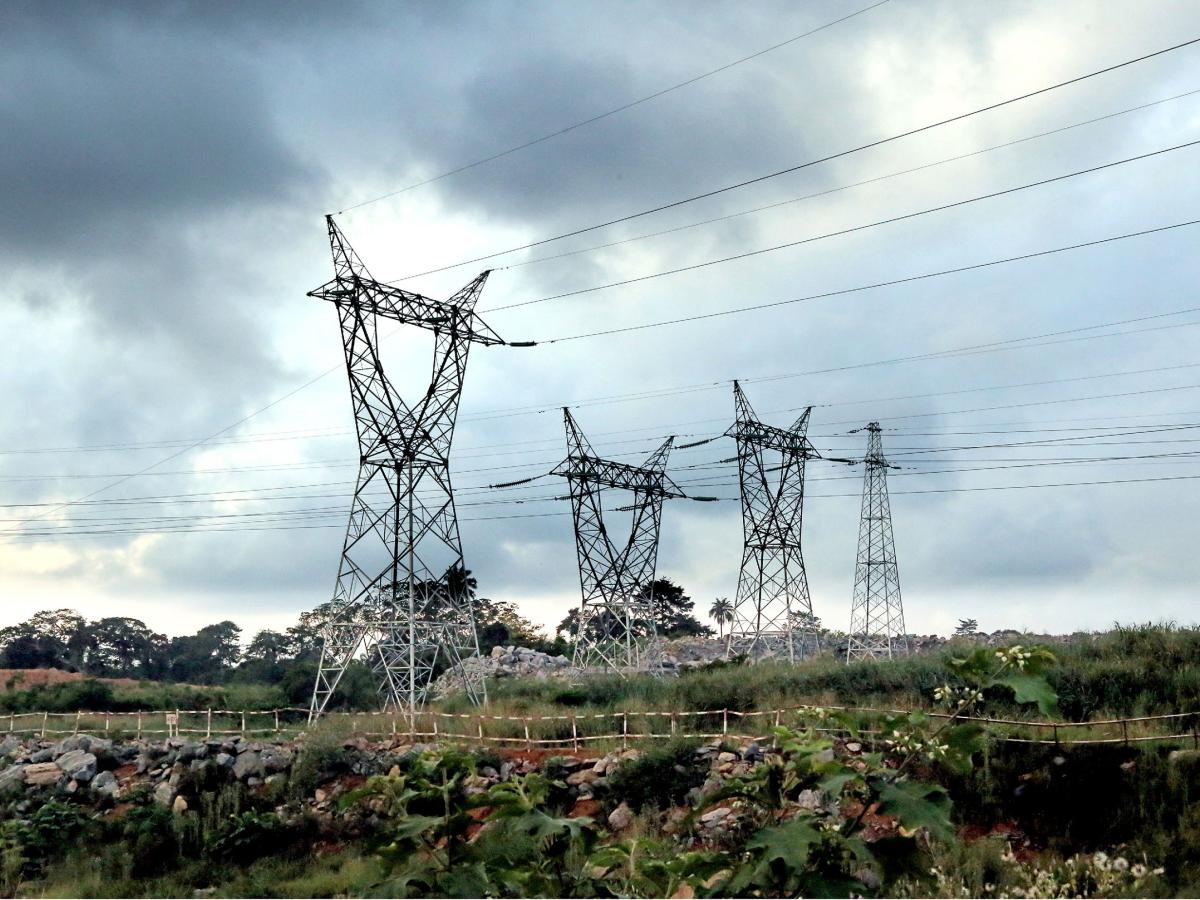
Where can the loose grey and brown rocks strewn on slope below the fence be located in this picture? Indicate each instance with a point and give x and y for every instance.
(109, 776)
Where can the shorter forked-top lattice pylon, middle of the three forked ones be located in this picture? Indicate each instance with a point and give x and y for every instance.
(616, 627)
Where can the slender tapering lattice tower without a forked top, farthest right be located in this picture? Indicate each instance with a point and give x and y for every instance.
(877, 616)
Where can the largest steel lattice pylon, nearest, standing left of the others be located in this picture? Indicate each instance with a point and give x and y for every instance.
(401, 597)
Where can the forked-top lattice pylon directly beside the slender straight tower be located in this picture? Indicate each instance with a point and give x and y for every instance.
(773, 613)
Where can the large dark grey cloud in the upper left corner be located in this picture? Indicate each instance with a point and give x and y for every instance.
(137, 133)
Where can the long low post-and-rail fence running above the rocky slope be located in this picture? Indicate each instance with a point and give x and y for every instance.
(572, 731)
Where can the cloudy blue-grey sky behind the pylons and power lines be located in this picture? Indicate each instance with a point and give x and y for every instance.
(166, 170)
